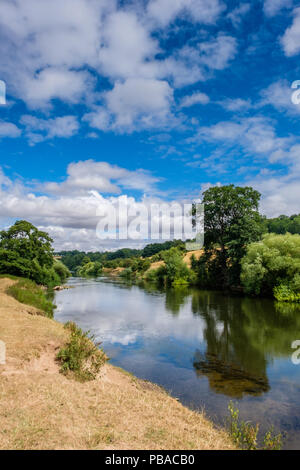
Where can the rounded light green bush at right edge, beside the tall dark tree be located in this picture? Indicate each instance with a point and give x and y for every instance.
(271, 262)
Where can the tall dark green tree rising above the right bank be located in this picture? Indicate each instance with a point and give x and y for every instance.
(231, 222)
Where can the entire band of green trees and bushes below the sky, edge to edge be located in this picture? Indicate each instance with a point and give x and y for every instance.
(243, 251)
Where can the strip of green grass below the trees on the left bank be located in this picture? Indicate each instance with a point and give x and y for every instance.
(29, 293)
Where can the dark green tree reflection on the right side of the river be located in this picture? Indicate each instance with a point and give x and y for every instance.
(242, 337)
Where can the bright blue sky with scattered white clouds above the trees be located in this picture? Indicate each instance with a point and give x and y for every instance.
(145, 100)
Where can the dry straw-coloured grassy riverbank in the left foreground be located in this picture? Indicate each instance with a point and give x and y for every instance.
(42, 409)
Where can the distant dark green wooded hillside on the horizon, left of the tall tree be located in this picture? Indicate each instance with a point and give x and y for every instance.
(75, 258)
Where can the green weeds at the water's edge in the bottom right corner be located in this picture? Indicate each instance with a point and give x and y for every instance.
(245, 434)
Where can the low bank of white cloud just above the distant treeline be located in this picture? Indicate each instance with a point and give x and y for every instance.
(72, 210)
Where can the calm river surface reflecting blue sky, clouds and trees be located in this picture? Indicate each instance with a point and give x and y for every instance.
(203, 347)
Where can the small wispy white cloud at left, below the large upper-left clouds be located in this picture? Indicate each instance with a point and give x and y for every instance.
(38, 129)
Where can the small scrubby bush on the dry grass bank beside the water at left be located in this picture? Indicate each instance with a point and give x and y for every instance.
(81, 356)
